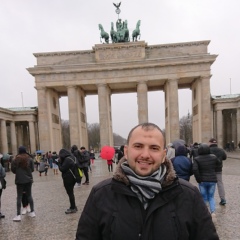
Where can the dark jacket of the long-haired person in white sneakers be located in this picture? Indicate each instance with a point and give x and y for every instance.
(23, 175)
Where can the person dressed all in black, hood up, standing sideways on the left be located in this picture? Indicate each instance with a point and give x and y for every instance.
(66, 165)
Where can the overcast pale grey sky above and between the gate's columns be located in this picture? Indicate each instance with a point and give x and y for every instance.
(31, 26)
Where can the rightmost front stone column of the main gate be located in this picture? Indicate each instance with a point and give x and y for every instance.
(205, 117)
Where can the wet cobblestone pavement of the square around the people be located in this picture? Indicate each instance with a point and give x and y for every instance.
(51, 201)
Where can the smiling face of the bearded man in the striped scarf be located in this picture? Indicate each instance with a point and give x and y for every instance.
(145, 151)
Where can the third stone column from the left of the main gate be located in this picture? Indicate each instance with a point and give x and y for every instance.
(106, 135)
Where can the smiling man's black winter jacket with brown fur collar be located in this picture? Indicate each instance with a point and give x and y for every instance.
(114, 212)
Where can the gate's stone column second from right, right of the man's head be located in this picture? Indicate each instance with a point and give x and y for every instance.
(171, 110)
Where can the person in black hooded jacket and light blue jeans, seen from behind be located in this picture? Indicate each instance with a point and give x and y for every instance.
(204, 171)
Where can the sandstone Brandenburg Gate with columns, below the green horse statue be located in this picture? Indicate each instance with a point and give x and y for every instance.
(122, 68)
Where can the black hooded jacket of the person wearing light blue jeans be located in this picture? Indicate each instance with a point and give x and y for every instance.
(204, 165)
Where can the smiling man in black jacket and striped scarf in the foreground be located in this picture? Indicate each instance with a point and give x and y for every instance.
(145, 199)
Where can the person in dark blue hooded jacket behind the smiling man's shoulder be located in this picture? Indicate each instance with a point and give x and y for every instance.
(182, 164)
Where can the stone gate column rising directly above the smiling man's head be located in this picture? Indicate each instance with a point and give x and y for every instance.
(142, 98)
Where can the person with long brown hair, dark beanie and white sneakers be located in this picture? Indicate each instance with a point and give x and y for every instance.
(23, 166)
